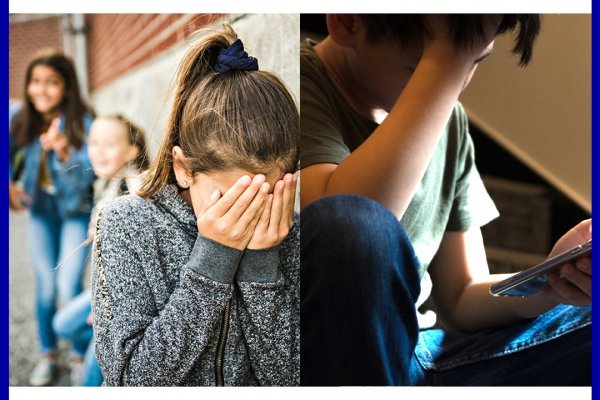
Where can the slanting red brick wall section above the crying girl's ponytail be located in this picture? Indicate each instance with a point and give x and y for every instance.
(118, 42)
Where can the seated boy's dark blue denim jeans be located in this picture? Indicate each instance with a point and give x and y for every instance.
(358, 319)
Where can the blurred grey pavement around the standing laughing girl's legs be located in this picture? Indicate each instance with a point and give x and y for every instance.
(24, 345)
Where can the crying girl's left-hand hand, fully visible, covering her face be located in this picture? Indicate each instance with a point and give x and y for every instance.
(231, 219)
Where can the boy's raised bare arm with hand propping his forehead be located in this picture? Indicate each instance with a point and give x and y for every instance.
(389, 165)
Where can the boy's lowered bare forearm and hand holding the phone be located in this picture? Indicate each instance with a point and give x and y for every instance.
(461, 282)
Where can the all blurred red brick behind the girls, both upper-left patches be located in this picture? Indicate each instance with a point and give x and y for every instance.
(113, 42)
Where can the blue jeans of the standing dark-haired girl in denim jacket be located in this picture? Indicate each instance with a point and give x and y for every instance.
(59, 257)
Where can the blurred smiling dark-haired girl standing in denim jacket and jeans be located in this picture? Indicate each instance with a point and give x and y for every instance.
(49, 133)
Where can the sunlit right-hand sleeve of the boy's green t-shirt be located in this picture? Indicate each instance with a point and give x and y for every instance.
(472, 206)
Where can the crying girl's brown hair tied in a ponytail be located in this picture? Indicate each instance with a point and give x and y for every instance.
(238, 119)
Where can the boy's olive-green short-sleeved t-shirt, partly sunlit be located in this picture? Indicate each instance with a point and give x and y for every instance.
(451, 195)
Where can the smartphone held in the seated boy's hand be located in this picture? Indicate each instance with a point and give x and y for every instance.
(532, 280)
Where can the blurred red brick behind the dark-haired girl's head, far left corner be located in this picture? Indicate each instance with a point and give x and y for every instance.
(28, 34)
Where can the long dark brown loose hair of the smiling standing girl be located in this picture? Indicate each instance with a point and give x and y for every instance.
(29, 123)
